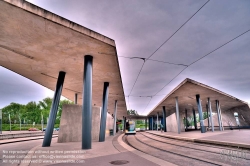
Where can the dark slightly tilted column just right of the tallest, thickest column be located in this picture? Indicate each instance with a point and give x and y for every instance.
(104, 112)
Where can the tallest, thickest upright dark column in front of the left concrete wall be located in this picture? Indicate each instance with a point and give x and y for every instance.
(87, 103)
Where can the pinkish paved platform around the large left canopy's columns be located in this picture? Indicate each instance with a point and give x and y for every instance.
(114, 151)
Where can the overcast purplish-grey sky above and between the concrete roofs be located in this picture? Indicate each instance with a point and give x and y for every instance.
(139, 29)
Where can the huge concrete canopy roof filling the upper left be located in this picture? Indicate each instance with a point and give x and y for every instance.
(37, 44)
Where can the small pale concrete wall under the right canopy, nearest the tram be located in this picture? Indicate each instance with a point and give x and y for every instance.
(172, 123)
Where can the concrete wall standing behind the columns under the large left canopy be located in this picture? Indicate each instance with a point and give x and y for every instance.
(71, 123)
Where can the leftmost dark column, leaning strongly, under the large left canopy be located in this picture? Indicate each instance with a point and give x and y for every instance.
(53, 110)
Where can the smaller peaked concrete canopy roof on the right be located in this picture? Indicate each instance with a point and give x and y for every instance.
(186, 93)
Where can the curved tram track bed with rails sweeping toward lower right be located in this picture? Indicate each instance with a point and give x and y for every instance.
(177, 154)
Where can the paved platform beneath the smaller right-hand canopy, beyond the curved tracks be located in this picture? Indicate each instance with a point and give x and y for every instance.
(232, 138)
